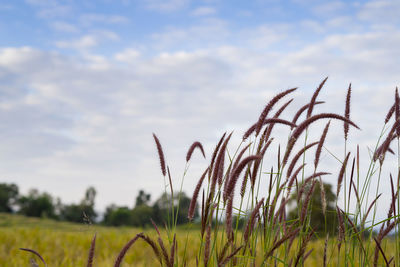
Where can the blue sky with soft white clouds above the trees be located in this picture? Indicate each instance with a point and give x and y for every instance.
(84, 84)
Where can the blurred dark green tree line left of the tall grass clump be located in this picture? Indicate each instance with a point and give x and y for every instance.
(42, 204)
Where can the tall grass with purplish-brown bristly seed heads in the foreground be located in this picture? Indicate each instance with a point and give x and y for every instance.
(269, 238)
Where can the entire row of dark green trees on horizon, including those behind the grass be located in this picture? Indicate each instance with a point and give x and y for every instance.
(36, 204)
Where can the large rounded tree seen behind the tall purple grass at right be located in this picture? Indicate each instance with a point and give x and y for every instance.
(318, 222)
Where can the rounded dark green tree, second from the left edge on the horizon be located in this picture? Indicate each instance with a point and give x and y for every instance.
(37, 204)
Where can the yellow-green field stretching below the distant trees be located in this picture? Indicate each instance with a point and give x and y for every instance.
(67, 244)
